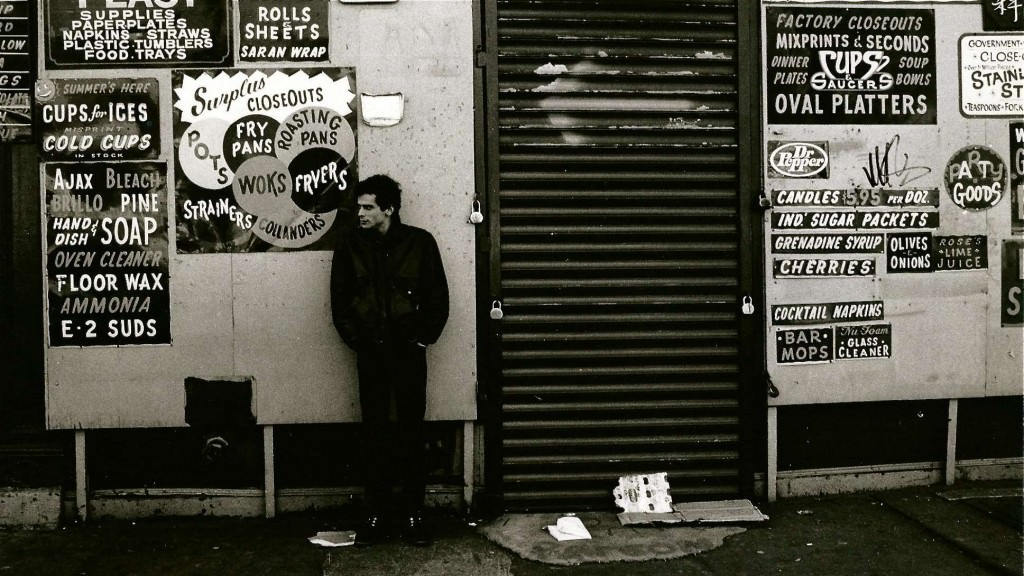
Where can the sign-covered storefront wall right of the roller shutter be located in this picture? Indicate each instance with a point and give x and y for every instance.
(892, 144)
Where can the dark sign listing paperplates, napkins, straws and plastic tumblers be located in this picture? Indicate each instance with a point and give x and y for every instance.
(125, 34)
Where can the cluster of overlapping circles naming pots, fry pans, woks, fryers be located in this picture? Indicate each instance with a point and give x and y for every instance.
(290, 175)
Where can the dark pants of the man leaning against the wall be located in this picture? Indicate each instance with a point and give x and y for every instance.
(394, 375)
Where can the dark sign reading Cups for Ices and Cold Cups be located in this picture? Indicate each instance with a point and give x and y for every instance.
(99, 118)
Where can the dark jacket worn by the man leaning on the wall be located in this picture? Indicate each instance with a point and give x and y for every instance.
(391, 289)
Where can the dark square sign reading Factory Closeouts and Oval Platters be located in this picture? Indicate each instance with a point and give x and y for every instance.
(850, 66)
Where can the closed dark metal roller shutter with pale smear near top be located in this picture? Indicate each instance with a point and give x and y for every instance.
(619, 248)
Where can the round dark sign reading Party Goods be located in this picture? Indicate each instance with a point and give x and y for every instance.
(975, 178)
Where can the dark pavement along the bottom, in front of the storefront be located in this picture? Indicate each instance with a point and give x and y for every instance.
(973, 528)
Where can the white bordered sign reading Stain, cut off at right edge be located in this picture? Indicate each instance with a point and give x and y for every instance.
(992, 74)
